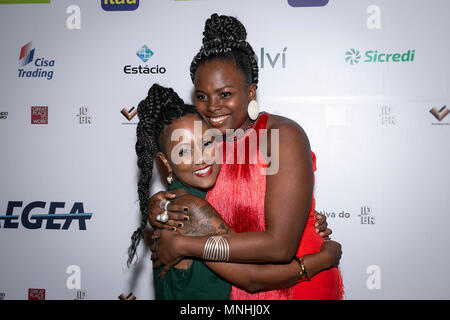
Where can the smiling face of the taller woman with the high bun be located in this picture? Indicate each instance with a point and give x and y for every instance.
(221, 94)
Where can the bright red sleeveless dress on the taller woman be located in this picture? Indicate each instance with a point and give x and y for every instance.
(238, 196)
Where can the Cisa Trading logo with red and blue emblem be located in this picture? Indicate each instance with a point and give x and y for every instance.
(43, 67)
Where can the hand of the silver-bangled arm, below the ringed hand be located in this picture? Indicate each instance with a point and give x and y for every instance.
(164, 250)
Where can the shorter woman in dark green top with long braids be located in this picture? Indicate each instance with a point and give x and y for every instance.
(175, 133)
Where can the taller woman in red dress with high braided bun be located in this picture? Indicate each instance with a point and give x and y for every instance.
(266, 196)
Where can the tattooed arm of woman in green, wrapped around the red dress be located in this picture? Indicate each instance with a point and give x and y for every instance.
(204, 220)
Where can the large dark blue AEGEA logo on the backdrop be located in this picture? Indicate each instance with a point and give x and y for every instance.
(35, 215)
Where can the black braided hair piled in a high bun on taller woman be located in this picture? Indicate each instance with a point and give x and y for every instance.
(224, 38)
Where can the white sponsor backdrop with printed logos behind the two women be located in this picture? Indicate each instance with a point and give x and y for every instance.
(369, 81)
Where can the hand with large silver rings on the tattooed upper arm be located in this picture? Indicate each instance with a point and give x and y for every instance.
(176, 213)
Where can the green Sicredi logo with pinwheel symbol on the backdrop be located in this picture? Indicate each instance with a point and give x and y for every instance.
(353, 56)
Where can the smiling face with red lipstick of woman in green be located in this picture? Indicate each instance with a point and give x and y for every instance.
(190, 138)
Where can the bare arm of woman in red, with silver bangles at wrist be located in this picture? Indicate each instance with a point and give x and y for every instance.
(286, 208)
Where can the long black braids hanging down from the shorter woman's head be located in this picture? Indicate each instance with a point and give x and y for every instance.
(160, 107)
